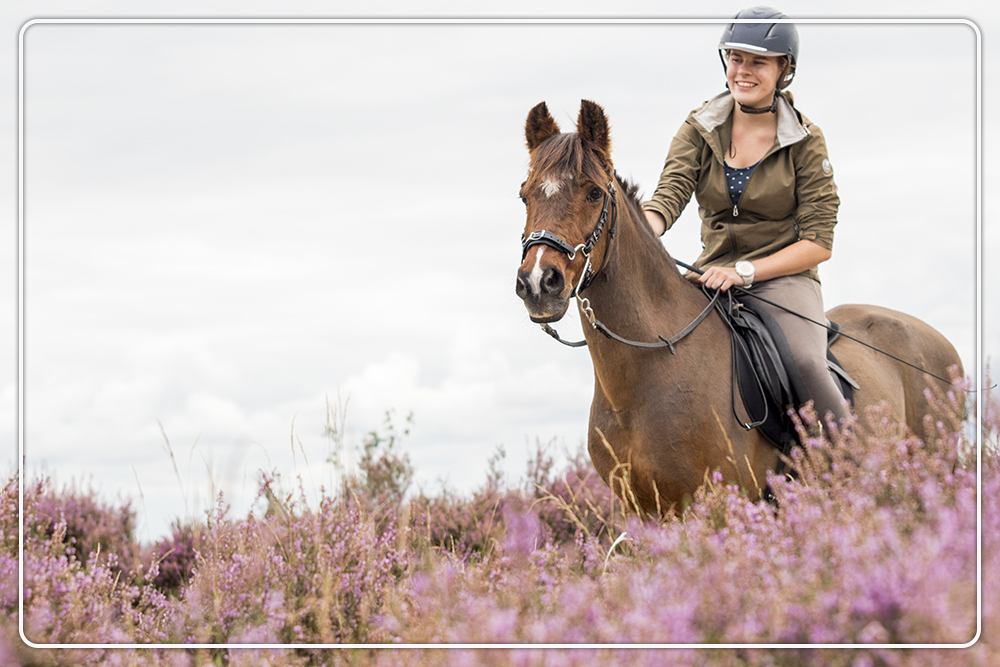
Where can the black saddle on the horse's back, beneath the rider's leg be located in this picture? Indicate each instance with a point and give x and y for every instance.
(766, 376)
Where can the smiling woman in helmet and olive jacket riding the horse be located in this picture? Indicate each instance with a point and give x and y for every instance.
(765, 190)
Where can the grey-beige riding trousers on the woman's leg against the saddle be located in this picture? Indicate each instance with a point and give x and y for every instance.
(807, 340)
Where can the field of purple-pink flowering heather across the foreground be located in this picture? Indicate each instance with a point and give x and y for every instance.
(873, 544)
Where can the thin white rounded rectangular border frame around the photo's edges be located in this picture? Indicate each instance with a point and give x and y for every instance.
(488, 21)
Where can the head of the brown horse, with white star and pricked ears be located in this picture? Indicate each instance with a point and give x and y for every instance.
(567, 194)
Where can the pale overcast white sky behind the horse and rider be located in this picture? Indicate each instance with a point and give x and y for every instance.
(238, 235)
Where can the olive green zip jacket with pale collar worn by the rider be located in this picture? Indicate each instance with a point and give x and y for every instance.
(790, 195)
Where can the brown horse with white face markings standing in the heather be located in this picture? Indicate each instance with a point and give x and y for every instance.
(666, 418)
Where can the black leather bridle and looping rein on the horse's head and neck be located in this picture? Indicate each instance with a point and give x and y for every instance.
(587, 276)
